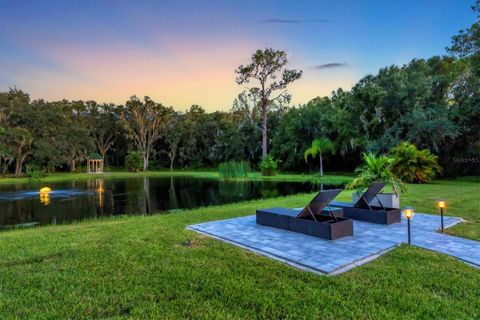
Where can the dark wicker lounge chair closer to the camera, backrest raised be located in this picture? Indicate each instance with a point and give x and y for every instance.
(316, 219)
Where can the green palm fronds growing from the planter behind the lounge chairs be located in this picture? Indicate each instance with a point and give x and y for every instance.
(376, 168)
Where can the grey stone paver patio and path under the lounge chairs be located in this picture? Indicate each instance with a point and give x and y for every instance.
(333, 257)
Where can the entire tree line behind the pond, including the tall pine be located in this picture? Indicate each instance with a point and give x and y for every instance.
(432, 103)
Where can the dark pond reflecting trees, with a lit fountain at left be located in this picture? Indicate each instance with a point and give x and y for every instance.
(23, 204)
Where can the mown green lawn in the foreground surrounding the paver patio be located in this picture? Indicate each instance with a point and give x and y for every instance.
(137, 267)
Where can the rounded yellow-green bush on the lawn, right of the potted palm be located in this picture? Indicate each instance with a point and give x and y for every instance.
(413, 165)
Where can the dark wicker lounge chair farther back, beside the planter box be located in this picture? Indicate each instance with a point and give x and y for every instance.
(362, 210)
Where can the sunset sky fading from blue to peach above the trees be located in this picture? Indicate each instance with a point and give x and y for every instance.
(185, 52)
